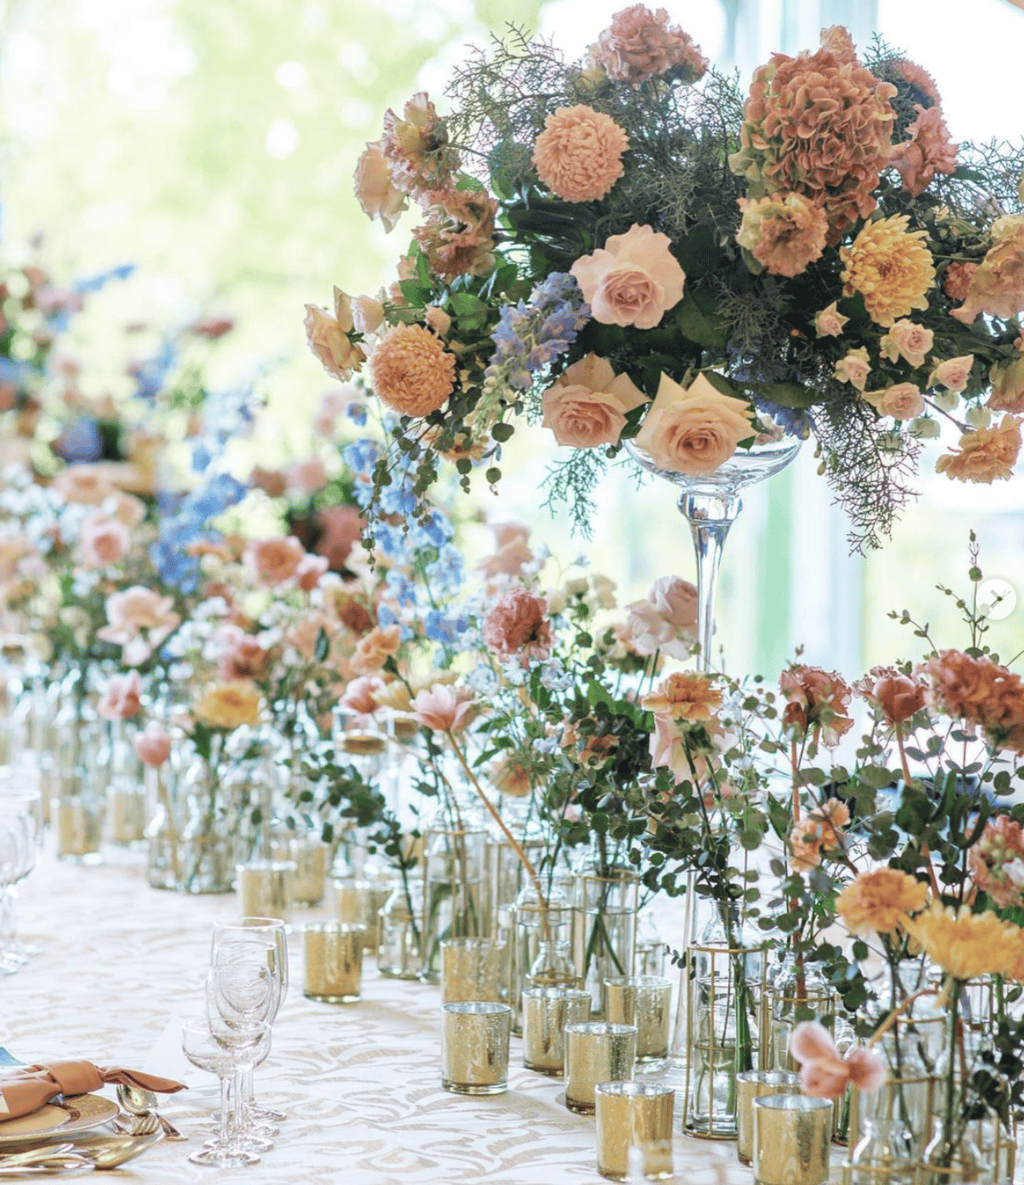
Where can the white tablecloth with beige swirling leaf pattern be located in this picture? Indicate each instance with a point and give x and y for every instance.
(120, 965)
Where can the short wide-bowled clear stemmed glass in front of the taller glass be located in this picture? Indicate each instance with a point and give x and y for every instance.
(219, 1049)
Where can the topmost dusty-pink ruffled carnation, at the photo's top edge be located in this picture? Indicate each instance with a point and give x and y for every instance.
(641, 44)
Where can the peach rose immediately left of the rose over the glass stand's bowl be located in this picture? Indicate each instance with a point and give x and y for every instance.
(587, 405)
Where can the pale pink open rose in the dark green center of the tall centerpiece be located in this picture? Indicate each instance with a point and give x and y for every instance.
(632, 280)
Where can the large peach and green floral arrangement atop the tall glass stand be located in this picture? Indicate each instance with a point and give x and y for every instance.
(630, 246)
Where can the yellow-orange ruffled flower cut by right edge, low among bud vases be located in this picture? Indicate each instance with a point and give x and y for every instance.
(968, 945)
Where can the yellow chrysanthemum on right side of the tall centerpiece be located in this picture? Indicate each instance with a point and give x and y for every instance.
(891, 267)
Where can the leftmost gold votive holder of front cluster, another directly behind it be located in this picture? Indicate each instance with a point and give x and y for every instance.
(475, 1047)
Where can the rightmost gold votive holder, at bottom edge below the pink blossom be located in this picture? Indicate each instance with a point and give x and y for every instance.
(792, 1135)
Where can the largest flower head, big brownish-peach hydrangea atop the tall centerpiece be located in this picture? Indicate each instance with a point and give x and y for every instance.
(818, 126)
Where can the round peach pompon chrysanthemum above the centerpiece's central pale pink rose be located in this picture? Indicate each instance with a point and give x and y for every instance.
(579, 155)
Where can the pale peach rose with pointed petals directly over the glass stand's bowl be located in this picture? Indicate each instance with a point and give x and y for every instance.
(694, 431)
